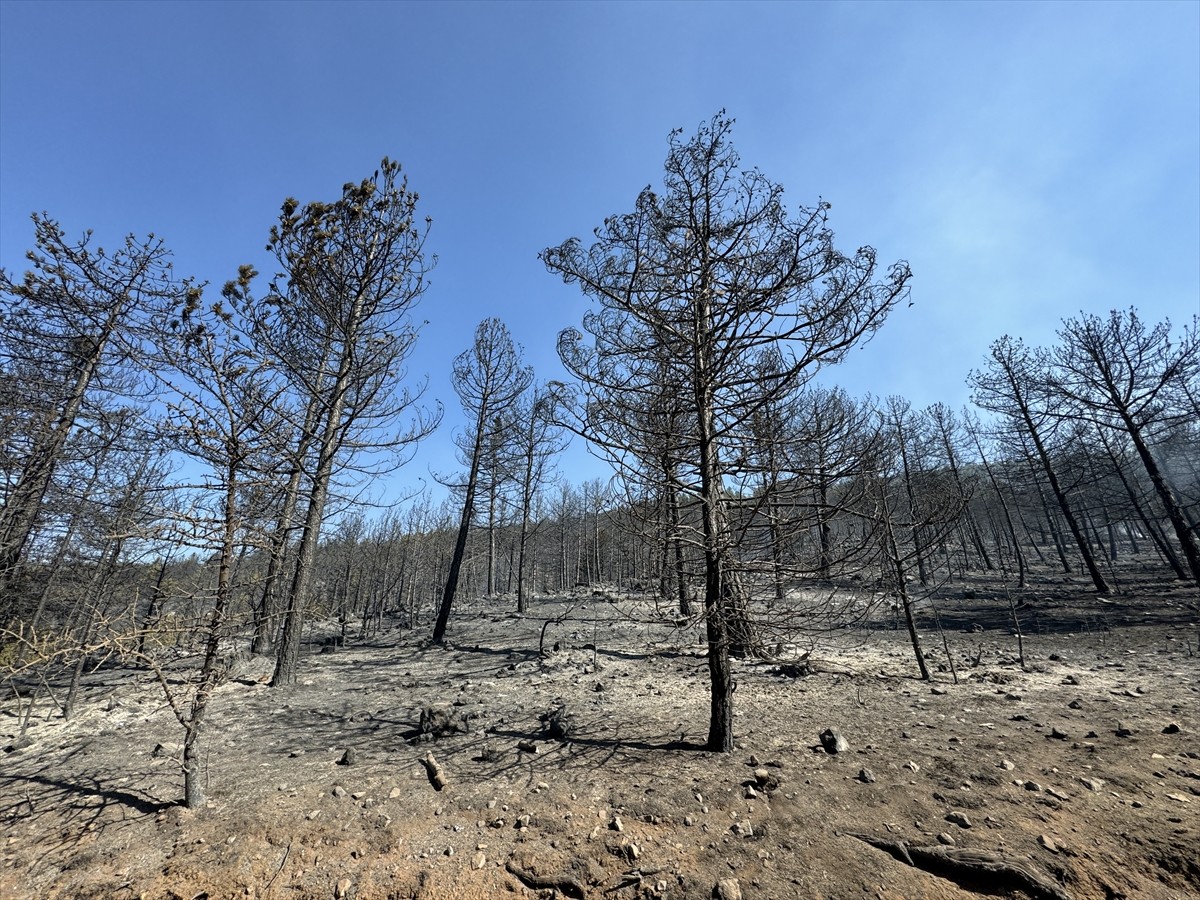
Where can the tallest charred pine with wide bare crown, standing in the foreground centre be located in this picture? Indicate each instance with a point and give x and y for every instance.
(706, 277)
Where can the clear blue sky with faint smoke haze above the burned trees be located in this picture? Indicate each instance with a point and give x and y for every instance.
(1029, 160)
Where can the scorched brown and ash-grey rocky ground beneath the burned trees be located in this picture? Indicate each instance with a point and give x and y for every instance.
(1081, 771)
